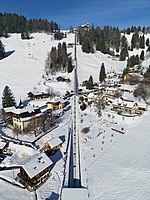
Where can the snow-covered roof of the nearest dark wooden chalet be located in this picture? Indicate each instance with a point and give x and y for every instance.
(36, 164)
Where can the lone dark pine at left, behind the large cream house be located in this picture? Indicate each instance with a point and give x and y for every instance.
(8, 99)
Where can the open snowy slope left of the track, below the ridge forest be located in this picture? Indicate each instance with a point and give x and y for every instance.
(23, 69)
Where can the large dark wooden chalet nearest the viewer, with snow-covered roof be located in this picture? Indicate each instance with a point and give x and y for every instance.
(35, 171)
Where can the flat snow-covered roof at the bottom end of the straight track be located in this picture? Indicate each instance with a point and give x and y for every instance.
(74, 193)
